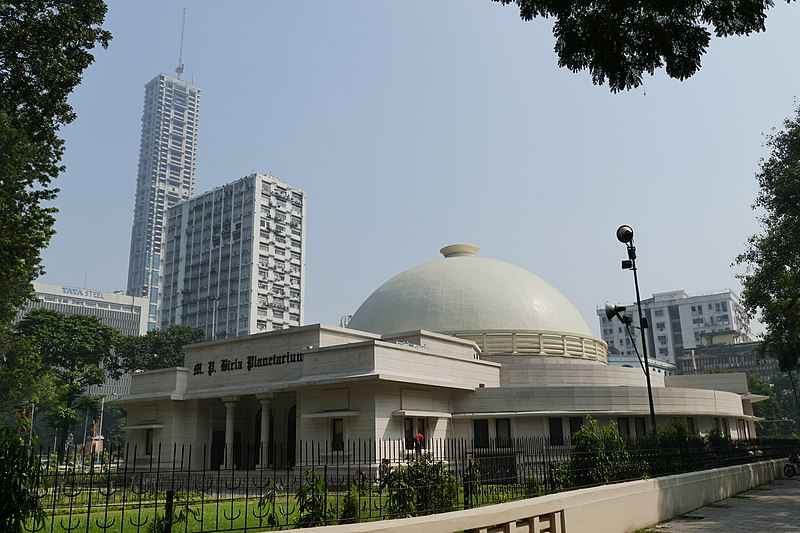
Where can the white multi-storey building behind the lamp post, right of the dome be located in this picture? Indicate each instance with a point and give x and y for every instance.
(678, 322)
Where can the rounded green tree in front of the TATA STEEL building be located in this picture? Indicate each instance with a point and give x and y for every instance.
(79, 351)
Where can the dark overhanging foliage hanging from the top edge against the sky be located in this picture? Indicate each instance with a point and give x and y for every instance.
(619, 41)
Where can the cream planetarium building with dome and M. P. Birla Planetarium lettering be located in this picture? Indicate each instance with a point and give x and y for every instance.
(462, 347)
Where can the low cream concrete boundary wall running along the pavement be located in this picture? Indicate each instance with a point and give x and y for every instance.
(619, 507)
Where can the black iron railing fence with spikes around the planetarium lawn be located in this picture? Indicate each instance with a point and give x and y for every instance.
(176, 490)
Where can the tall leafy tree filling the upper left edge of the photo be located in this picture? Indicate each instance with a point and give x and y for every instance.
(44, 48)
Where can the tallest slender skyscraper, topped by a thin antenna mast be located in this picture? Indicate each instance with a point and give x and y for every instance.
(167, 156)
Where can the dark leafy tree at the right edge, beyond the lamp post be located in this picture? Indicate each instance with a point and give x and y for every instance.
(772, 278)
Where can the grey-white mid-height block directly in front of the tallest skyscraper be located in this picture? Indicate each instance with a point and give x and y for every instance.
(234, 260)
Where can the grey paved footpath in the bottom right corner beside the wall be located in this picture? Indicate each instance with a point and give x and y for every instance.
(772, 507)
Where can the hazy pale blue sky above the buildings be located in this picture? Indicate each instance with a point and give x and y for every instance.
(413, 125)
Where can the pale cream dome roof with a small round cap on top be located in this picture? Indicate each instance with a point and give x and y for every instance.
(464, 293)
